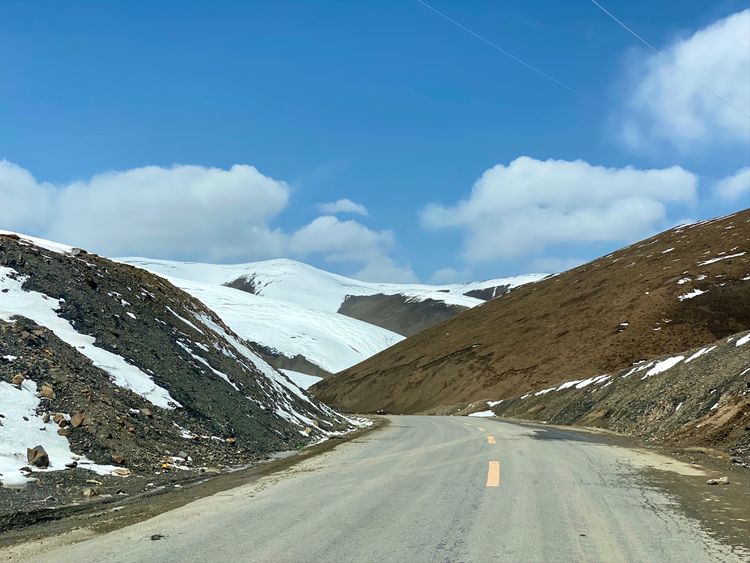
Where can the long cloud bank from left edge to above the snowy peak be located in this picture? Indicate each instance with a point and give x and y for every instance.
(188, 213)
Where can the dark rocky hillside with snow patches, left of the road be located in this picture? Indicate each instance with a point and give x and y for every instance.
(113, 369)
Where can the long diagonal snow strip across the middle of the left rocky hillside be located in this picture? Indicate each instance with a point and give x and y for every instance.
(41, 309)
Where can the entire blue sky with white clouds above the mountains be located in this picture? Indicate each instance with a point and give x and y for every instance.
(383, 103)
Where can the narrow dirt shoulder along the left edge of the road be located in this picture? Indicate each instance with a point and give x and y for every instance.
(104, 515)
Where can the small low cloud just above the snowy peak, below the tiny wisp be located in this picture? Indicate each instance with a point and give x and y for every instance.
(351, 242)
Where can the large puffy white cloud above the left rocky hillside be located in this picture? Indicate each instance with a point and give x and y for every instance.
(181, 211)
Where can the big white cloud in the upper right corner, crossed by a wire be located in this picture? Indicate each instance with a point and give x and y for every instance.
(668, 103)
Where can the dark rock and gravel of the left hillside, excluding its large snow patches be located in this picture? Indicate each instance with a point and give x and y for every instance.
(109, 424)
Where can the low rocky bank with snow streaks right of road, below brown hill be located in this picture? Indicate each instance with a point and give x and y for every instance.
(699, 397)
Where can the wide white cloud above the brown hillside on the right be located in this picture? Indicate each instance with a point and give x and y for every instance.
(529, 204)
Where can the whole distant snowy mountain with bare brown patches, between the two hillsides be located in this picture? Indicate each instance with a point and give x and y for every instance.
(315, 322)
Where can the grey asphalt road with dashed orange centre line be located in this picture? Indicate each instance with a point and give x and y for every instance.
(426, 489)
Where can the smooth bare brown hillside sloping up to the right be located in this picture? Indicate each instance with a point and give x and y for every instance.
(570, 326)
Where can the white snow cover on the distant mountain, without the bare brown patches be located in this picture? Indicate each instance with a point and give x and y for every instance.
(294, 309)
